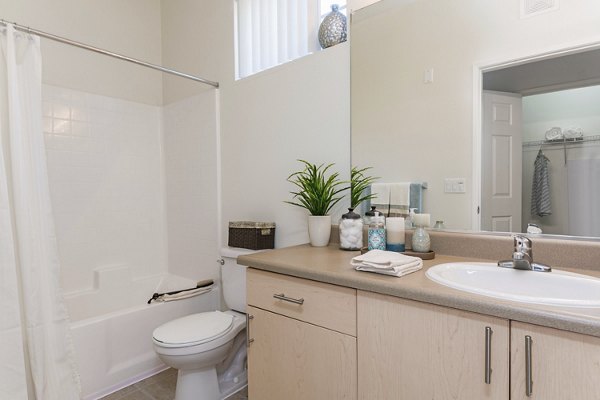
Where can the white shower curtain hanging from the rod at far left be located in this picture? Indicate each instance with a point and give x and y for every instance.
(37, 358)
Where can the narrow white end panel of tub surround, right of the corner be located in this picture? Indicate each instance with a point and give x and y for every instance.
(190, 158)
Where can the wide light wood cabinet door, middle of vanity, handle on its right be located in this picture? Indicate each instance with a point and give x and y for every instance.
(416, 351)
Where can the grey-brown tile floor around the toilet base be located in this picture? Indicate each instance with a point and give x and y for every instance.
(158, 387)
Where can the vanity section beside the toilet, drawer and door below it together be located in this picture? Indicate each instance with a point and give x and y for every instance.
(302, 339)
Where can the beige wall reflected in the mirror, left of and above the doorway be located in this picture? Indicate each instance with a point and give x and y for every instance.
(426, 130)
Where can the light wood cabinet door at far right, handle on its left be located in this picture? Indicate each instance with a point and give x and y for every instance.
(564, 365)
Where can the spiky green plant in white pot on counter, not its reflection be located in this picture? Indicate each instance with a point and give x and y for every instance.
(318, 191)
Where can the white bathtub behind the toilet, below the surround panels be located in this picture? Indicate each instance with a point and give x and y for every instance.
(112, 326)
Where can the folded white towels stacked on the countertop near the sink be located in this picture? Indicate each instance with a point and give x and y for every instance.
(387, 263)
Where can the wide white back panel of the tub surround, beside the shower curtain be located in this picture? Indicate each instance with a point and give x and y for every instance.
(105, 171)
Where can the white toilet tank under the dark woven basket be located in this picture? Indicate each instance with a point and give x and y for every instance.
(233, 278)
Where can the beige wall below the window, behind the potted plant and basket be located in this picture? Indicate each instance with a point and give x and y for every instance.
(297, 110)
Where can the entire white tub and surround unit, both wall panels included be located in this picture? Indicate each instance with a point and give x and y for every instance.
(124, 178)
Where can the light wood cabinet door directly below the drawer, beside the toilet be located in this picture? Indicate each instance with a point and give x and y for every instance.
(294, 360)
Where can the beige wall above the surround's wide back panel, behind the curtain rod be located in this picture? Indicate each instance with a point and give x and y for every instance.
(130, 27)
